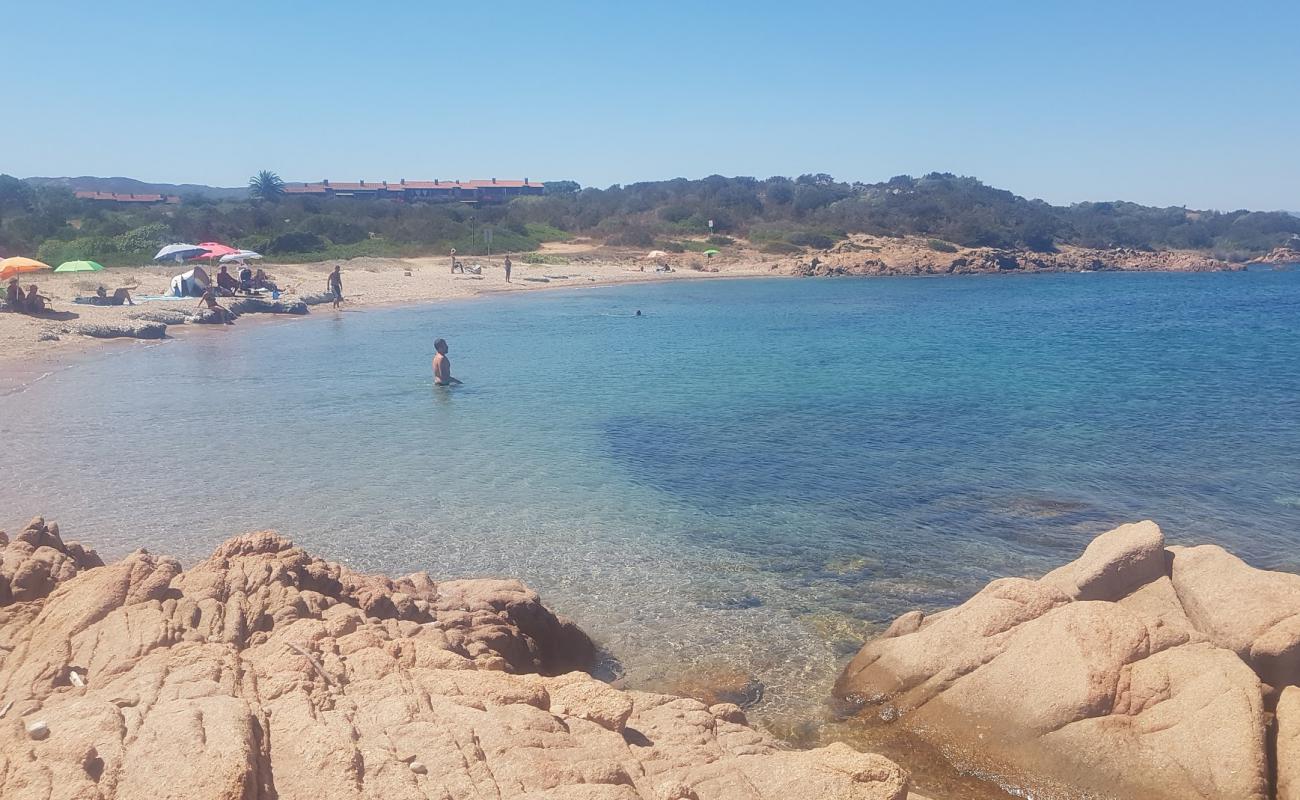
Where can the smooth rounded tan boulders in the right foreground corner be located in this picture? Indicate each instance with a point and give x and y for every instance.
(1137, 672)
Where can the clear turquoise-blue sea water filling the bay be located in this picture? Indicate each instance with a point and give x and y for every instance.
(753, 475)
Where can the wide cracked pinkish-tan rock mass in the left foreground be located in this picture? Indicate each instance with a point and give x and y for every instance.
(266, 673)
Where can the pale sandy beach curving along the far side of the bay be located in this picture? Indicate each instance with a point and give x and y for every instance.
(36, 347)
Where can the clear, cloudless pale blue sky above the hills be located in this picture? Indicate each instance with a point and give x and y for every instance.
(1169, 103)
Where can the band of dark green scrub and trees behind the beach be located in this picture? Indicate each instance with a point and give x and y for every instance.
(778, 215)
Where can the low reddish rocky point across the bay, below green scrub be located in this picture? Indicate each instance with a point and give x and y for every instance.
(872, 256)
